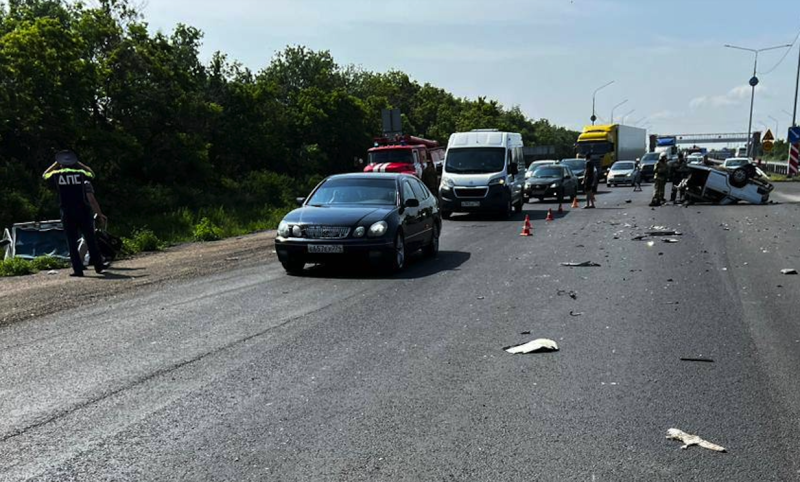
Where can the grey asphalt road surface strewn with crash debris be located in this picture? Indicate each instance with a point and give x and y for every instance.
(343, 375)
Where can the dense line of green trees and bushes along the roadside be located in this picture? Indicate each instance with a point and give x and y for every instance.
(172, 137)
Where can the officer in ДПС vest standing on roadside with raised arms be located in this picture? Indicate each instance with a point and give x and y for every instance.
(76, 196)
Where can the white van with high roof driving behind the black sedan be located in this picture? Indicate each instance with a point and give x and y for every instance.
(483, 171)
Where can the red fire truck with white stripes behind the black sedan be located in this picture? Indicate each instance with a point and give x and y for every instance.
(407, 154)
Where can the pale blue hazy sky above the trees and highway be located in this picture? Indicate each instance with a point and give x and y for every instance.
(547, 56)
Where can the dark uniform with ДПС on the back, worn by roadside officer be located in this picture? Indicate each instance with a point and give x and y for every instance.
(72, 184)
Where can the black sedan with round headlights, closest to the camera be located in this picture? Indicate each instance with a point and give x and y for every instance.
(378, 217)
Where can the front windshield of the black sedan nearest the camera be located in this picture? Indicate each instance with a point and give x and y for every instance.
(355, 191)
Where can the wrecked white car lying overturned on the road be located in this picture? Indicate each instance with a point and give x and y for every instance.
(746, 183)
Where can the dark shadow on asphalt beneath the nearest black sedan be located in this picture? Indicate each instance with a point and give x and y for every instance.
(418, 267)
